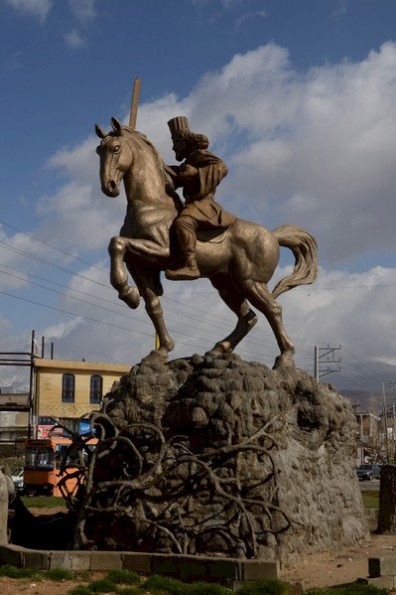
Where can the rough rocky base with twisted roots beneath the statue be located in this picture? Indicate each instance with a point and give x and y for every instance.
(220, 457)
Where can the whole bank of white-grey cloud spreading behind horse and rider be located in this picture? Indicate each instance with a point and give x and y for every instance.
(312, 149)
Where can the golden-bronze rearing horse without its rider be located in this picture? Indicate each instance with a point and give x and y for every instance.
(238, 262)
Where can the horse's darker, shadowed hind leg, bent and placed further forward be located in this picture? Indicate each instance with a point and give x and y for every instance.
(231, 295)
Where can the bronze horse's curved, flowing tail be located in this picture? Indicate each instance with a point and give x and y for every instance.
(305, 250)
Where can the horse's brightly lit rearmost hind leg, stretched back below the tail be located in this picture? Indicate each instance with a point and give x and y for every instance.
(259, 296)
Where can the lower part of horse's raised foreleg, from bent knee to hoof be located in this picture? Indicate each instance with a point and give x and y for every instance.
(118, 273)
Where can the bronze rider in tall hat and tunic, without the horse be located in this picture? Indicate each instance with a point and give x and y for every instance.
(198, 175)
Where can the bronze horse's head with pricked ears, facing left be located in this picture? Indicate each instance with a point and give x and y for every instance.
(115, 157)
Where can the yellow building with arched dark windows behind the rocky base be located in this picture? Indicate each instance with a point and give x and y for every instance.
(70, 390)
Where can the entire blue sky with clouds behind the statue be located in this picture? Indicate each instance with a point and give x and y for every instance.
(298, 98)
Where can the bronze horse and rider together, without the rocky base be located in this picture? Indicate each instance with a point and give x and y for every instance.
(194, 237)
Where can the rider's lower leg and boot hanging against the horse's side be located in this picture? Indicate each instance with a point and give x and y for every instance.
(185, 227)
